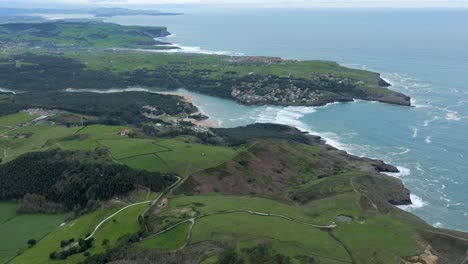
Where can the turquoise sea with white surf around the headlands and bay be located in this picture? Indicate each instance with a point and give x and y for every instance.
(422, 53)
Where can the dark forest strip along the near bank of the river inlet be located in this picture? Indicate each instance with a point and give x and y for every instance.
(111, 108)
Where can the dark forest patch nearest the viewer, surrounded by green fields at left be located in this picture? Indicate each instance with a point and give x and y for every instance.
(72, 179)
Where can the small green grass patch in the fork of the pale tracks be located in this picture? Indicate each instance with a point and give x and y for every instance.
(172, 240)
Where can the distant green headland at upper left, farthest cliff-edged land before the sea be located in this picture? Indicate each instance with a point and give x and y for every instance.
(66, 36)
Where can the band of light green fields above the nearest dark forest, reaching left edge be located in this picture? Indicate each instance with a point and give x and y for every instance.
(178, 155)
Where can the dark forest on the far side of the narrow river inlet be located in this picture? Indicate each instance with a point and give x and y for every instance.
(32, 72)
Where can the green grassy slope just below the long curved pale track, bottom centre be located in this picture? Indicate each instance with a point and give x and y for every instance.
(243, 227)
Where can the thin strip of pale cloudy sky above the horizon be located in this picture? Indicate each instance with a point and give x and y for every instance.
(243, 3)
